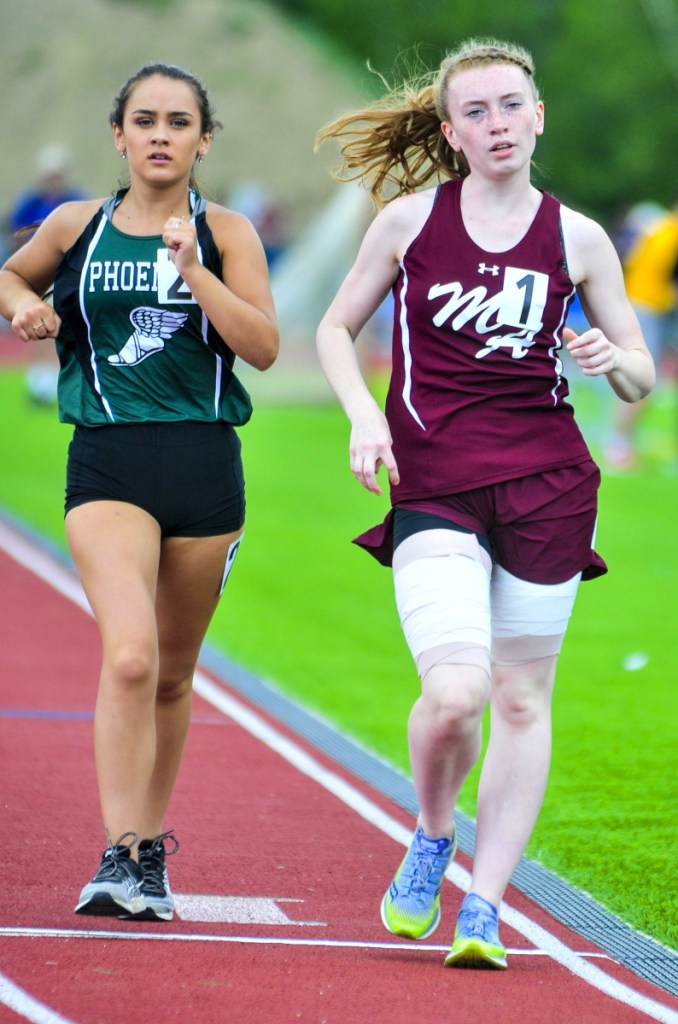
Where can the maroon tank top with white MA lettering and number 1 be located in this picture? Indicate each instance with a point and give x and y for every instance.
(478, 394)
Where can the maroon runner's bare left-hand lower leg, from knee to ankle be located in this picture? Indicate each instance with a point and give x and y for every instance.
(445, 741)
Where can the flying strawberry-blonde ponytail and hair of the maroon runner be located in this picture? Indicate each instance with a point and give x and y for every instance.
(396, 145)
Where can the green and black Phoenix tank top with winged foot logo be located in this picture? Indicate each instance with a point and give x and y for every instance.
(135, 345)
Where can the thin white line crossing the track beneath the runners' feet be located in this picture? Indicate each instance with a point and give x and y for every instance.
(256, 941)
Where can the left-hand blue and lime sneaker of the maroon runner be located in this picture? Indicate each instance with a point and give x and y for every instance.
(412, 906)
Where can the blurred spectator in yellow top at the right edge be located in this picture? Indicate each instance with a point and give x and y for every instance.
(651, 271)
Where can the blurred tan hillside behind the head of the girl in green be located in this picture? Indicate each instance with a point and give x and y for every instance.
(63, 63)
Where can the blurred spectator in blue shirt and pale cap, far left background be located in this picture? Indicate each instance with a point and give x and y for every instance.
(50, 191)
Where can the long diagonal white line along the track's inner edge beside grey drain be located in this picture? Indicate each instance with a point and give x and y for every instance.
(36, 560)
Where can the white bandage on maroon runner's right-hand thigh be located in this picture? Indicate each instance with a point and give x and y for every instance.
(529, 620)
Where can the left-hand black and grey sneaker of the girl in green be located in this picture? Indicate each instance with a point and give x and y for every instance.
(117, 885)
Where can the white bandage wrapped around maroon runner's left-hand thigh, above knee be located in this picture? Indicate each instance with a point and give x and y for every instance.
(442, 580)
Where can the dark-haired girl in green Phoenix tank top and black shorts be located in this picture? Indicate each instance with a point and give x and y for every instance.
(156, 292)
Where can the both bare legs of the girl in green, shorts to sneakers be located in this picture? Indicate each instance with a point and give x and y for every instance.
(153, 602)
